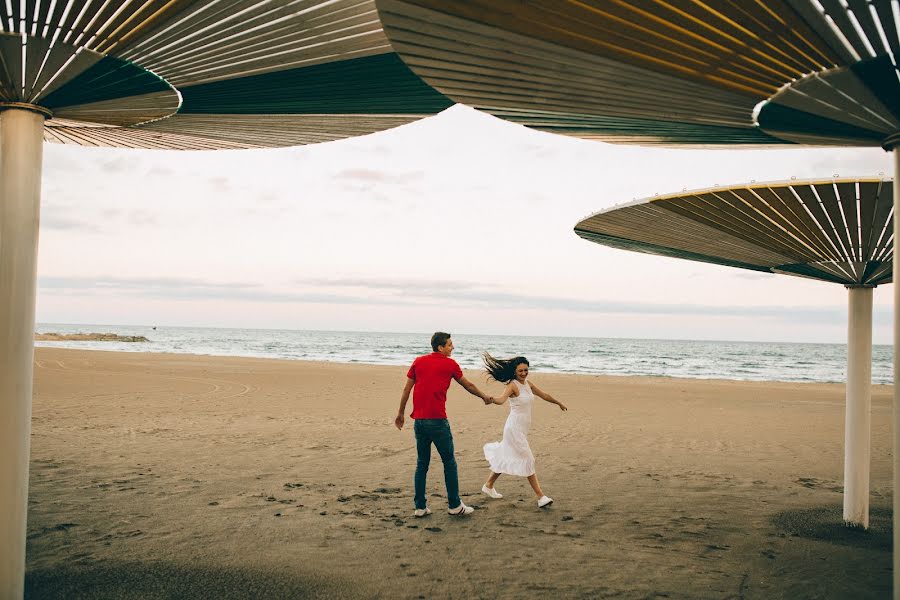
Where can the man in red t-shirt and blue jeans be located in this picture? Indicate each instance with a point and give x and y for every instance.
(428, 378)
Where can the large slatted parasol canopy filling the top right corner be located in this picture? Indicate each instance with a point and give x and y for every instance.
(681, 72)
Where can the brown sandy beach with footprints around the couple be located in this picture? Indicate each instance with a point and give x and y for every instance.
(175, 476)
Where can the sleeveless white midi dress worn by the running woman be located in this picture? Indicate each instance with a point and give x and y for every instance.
(512, 455)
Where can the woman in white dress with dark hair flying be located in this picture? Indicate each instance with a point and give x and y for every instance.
(513, 455)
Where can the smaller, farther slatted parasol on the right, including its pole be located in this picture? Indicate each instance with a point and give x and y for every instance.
(835, 230)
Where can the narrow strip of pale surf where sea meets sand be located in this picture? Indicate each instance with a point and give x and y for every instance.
(412, 357)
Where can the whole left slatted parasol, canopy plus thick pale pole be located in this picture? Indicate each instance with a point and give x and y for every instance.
(168, 74)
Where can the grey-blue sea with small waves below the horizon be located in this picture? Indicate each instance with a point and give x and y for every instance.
(751, 361)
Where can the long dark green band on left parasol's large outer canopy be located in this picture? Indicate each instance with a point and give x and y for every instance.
(380, 84)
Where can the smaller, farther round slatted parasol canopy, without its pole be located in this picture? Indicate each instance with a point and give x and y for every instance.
(837, 230)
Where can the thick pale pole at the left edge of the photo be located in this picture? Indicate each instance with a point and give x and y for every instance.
(21, 146)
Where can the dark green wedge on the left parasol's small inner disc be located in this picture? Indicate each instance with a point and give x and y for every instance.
(109, 79)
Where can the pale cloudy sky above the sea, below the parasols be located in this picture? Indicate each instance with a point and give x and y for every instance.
(460, 222)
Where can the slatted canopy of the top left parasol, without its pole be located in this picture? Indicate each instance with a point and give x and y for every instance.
(199, 75)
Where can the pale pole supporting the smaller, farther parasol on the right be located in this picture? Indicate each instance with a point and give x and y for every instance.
(858, 419)
